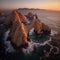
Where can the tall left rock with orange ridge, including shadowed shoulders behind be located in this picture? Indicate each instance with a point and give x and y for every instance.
(18, 33)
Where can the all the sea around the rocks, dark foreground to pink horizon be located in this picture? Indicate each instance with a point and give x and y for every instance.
(40, 48)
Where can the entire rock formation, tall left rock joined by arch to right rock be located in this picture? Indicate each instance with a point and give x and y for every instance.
(19, 31)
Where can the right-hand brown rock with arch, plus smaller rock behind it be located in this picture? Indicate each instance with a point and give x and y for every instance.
(39, 27)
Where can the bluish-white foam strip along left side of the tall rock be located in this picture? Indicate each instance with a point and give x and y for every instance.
(8, 46)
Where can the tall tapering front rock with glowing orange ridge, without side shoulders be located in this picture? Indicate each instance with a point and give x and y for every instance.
(18, 33)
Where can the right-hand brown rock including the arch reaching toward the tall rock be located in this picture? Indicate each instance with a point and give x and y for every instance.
(39, 27)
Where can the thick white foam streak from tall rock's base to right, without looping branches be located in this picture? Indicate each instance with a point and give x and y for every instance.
(33, 45)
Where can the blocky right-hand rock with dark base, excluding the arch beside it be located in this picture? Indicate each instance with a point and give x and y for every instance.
(41, 28)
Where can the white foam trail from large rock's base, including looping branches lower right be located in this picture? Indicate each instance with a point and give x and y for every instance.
(32, 44)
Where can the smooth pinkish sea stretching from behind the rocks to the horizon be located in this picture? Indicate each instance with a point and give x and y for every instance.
(51, 18)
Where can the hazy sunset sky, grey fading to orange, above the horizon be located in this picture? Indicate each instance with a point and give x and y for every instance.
(41, 4)
